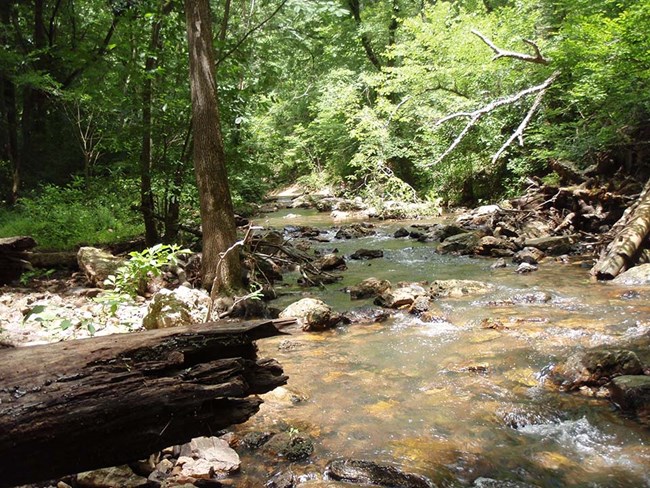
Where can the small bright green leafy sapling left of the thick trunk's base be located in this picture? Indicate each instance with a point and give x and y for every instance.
(132, 278)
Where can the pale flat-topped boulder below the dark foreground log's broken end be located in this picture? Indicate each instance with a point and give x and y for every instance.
(203, 457)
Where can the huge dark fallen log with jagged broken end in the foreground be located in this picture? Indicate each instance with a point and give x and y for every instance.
(90, 403)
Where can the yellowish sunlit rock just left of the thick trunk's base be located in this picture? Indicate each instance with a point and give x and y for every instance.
(176, 308)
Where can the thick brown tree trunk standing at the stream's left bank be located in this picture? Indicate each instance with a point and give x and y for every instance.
(217, 213)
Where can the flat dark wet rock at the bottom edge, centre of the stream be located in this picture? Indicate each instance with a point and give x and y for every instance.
(367, 472)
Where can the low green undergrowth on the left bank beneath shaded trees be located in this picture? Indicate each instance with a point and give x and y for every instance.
(61, 218)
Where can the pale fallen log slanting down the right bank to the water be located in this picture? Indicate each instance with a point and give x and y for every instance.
(623, 250)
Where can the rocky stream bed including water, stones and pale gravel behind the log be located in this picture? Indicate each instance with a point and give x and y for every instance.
(436, 353)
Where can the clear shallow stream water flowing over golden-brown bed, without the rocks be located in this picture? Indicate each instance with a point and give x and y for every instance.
(449, 399)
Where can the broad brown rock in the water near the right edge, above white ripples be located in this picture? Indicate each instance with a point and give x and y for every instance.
(595, 368)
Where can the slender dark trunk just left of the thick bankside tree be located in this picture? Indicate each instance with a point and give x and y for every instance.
(146, 193)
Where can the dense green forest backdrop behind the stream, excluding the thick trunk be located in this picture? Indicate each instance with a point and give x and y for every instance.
(447, 102)
